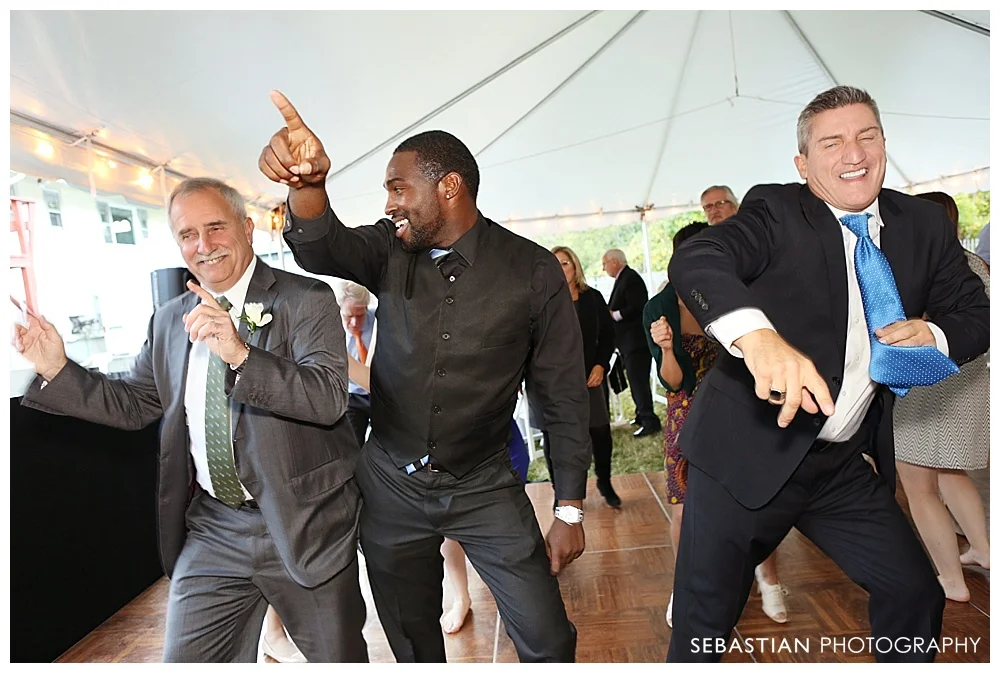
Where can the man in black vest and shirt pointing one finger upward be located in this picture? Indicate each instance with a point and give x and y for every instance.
(467, 310)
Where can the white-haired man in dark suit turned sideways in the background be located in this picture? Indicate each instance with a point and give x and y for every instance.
(628, 298)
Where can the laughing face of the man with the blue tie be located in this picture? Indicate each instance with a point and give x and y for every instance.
(844, 161)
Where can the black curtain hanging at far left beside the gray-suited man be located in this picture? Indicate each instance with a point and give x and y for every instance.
(82, 527)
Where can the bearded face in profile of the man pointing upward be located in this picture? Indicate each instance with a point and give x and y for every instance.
(413, 203)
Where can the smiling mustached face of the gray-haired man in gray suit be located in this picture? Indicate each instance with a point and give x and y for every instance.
(215, 245)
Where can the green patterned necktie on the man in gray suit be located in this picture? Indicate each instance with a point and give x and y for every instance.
(218, 435)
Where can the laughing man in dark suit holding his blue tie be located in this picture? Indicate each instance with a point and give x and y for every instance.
(818, 293)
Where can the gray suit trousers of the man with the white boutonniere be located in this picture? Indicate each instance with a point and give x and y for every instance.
(228, 573)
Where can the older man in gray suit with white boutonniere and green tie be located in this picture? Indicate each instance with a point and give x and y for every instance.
(256, 498)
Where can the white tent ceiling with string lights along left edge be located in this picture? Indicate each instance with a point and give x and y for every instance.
(607, 111)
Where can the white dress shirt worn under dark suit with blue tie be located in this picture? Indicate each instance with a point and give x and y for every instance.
(858, 389)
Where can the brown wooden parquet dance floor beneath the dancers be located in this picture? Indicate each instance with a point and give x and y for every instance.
(616, 594)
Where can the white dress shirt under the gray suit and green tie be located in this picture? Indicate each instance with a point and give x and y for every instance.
(197, 383)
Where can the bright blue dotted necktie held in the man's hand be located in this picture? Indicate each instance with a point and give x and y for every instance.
(899, 367)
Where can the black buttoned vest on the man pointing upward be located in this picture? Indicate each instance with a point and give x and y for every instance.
(451, 355)
